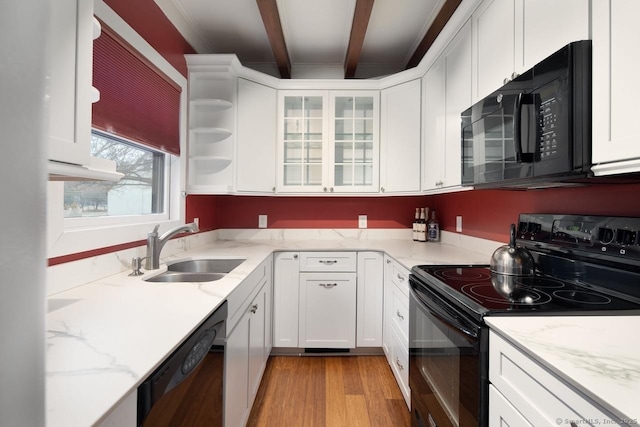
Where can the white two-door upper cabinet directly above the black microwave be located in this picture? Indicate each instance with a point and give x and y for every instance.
(510, 36)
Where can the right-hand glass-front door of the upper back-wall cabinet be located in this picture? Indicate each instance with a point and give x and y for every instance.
(354, 145)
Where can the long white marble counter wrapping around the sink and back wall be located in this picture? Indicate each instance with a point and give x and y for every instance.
(105, 337)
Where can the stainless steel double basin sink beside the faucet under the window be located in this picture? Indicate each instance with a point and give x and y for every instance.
(197, 270)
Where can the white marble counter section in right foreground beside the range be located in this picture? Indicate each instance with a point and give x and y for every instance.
(598, 355)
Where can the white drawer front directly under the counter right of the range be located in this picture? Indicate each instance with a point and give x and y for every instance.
(536, 393)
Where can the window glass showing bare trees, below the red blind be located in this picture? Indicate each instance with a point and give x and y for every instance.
(141, 191)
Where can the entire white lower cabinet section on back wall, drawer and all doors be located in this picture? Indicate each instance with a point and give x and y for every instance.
(328, 299)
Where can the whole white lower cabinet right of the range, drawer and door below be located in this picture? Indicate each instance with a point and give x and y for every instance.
(524, 390)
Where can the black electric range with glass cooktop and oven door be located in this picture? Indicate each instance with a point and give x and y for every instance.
(585, 265)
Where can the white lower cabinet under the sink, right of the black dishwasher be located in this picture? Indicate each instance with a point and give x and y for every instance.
(247, 347)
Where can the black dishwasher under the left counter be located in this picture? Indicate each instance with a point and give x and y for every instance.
(186, 390)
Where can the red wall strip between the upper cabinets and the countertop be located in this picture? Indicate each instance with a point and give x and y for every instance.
(485, 213)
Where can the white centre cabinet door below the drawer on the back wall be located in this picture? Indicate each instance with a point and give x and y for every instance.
(327, 310)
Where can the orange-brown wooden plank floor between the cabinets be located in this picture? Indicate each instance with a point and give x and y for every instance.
(329, 391)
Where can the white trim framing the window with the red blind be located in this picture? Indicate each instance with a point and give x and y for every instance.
(62, 240)
